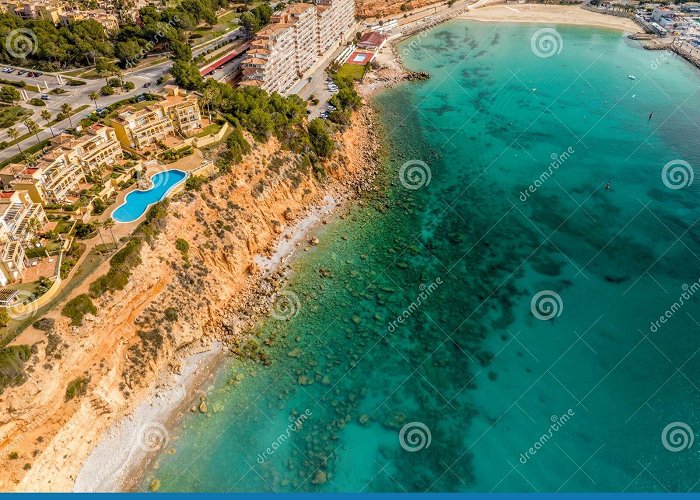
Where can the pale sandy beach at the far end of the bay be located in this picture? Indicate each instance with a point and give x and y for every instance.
(549, 14)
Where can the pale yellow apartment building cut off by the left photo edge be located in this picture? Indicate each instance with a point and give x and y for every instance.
(20, 219)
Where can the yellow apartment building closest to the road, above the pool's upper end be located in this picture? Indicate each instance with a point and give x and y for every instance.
(178, 111)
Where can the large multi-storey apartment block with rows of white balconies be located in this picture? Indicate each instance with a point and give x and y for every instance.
(296, 38)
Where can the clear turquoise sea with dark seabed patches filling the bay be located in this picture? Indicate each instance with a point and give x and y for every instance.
(472, 334)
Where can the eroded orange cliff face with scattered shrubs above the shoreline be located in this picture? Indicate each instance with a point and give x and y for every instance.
(227, 223)
